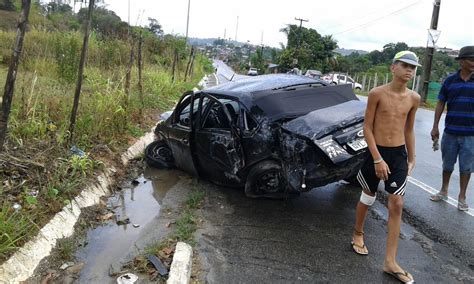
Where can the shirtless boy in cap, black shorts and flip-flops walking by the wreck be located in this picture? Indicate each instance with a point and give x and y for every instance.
(388, 130)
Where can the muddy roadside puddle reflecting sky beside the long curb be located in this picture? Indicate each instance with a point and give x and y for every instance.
(137, 204)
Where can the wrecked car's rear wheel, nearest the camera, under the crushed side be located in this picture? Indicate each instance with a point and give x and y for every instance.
(265, 179)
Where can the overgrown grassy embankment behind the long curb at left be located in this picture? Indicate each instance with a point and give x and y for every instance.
(38, 172)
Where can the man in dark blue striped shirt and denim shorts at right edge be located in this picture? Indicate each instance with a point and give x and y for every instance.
(458, 137)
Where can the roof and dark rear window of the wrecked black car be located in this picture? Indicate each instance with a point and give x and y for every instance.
(278, 96)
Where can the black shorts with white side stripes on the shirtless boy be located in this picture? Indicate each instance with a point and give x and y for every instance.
(396, 159)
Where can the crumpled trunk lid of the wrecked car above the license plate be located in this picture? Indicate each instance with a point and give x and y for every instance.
(319, 123)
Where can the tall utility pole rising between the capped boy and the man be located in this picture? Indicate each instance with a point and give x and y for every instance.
(430, 51)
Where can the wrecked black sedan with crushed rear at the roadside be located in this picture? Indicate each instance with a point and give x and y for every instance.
(271, 134)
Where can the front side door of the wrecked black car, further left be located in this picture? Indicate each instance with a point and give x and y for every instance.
(180, 138)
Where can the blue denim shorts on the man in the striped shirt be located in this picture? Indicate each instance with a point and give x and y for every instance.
(453, 146)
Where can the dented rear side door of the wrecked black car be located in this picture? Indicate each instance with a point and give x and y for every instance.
(218, 145)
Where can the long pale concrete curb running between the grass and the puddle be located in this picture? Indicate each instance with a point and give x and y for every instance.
(21, 265)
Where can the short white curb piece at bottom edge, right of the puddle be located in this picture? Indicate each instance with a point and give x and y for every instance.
(180, 271)
